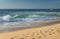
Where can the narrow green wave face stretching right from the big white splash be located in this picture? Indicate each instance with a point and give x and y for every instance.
(37, 15)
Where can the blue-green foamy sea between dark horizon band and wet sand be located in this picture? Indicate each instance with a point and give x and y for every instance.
(8, 17)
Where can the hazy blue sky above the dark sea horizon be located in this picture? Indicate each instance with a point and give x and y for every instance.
(29, 4)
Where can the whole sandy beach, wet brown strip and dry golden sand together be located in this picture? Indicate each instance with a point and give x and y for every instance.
(39, 30)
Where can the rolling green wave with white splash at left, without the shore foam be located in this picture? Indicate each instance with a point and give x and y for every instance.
(27, 17)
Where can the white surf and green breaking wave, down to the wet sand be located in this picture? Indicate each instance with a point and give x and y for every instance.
(26, 18)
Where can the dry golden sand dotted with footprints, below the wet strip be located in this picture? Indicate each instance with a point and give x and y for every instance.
(46, 32)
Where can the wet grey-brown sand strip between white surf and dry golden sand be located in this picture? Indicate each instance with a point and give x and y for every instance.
(30, 25)
